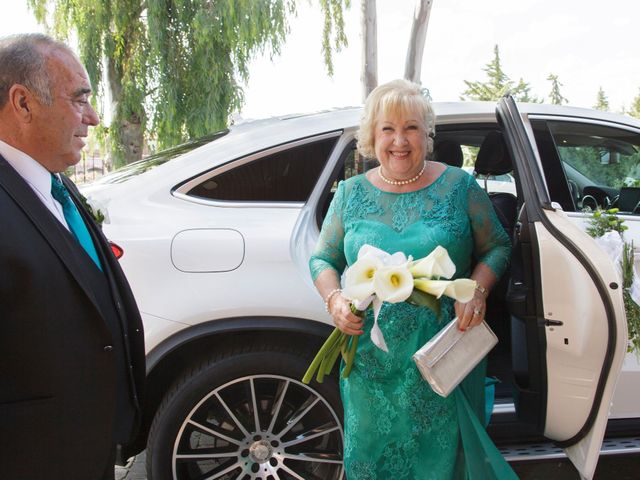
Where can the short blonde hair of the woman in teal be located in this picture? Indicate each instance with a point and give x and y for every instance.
(396, 95)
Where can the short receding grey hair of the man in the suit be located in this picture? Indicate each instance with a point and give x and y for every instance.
(23, 60)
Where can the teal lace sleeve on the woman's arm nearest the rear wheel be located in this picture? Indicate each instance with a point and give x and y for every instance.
(329, 251)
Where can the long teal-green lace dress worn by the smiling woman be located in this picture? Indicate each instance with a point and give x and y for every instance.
(395, 426)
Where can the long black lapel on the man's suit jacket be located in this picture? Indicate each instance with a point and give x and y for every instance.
(59, 238)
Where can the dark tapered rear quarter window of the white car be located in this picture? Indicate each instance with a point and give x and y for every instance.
(287, 175)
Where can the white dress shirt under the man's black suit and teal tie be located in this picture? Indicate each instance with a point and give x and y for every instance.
(38, 178)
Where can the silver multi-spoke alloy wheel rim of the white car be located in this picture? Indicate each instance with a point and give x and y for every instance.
(265, 427)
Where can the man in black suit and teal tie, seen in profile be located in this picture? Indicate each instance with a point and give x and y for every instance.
(71, 339)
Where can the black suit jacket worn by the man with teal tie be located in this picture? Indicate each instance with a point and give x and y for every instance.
(58, 374)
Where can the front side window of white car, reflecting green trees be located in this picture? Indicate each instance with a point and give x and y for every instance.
(601, 164)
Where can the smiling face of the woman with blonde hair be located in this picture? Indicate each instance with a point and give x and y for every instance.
(400, 143)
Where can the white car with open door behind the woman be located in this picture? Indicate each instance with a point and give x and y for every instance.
(215, 237)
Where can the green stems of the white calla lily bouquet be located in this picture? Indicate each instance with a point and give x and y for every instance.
(337, 344)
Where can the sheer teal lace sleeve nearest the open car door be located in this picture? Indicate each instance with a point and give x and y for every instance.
(491, 243)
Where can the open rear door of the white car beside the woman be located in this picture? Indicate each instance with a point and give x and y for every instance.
(569, 333)
